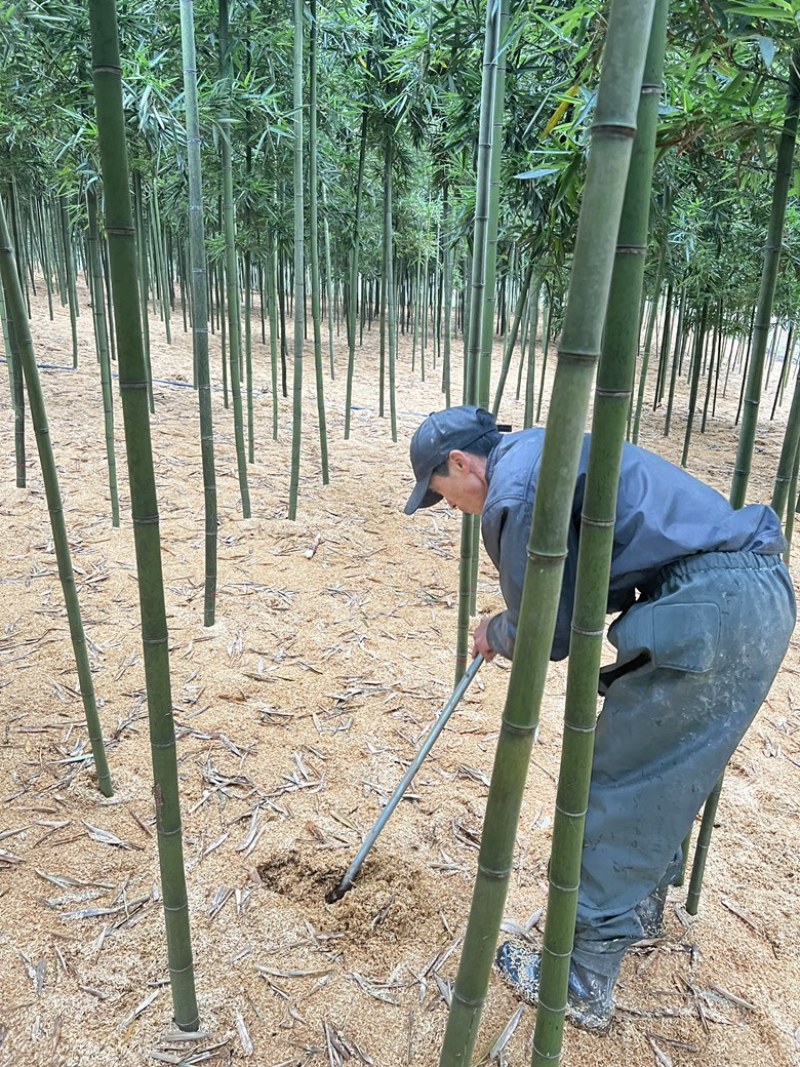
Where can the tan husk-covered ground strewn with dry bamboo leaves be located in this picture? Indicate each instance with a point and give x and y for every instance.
(297, 715)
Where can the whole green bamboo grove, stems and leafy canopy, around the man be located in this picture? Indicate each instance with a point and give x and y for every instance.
(422, 171)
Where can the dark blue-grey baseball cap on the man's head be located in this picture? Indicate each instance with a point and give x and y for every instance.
(443, 432)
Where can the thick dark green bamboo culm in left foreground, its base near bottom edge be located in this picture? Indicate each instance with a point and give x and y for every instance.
(107, 75)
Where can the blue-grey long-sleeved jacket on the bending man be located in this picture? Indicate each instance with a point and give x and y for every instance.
(663, 515)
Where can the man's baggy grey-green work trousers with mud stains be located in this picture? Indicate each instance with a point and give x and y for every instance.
(705, 648)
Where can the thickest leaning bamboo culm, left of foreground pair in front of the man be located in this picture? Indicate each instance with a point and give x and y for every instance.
(613, 134)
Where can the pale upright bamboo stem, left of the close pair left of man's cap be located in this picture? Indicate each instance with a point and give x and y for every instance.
(297, 426)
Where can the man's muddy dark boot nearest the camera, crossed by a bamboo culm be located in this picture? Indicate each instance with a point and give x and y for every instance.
(590, 995)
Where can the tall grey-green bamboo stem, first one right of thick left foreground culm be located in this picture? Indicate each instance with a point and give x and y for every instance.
(200, 305)
